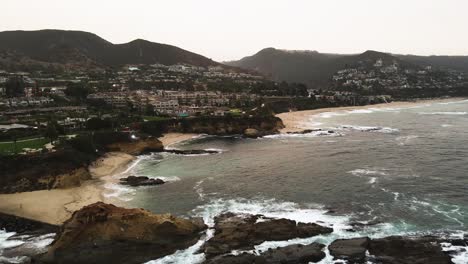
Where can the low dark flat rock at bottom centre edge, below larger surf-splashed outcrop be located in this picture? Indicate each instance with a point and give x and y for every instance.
(293, 254)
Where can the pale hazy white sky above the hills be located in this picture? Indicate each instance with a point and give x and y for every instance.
(226, 30)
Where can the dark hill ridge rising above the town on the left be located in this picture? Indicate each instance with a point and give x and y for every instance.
(77, 48)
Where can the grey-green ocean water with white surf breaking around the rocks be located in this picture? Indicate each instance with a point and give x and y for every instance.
(378, 171)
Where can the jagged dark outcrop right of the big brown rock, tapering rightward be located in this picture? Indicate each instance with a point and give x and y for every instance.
(245, 231)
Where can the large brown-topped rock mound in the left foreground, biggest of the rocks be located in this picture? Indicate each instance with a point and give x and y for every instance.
(104, 233)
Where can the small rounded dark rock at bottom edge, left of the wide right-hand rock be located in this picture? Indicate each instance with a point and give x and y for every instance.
(353, 250)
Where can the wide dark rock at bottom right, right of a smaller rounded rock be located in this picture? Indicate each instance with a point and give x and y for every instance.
(407, 250)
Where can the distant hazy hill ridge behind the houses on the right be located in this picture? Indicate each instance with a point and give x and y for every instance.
(316, 69)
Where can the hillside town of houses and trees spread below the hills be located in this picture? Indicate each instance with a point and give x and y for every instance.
(45, 105)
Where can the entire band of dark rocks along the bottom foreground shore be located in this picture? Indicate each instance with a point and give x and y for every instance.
(104, 233)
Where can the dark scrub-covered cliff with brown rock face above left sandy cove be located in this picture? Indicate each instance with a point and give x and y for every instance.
(67, 167)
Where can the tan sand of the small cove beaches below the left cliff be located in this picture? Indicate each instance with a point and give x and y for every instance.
(55, 206)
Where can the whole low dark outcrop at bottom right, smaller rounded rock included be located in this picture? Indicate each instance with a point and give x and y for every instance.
(390, 250)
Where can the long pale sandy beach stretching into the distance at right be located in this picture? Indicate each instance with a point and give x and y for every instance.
(294, 121)
